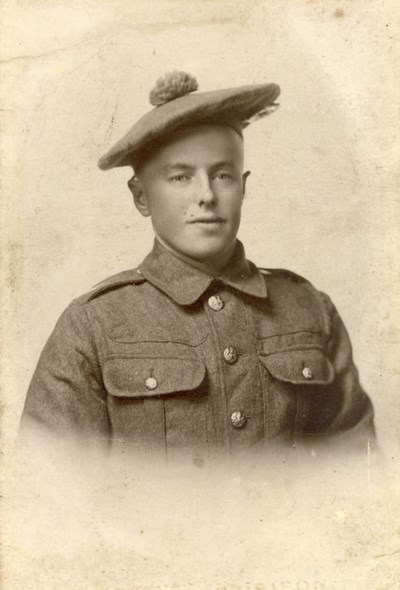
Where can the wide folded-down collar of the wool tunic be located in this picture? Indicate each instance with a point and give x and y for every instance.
(185, 284)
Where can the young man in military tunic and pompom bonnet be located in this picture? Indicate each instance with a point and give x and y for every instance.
(197, 349)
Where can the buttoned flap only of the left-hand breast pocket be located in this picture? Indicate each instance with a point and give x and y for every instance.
(143, 377)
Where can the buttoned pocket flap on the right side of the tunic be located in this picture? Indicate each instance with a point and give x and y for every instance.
(302, 367)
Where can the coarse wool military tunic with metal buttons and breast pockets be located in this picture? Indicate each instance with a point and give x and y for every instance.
(167, 357)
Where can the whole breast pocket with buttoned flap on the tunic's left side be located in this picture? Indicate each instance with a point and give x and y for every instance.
(157, 401)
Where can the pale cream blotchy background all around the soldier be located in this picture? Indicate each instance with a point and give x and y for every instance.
(323, 200)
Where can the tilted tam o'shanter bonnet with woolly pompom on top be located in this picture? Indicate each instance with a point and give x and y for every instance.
(177, 104)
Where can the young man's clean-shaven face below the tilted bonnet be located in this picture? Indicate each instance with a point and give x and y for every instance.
(193, 189)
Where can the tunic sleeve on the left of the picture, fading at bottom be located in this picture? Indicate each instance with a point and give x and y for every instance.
(66, 395)
